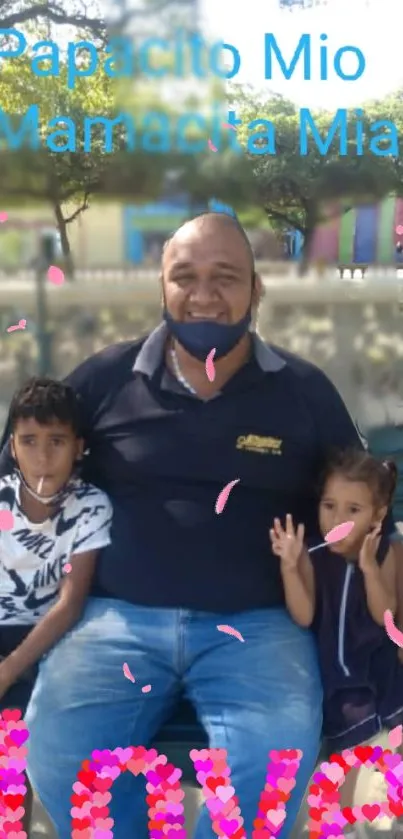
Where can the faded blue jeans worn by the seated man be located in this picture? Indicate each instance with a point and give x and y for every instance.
(250, 697)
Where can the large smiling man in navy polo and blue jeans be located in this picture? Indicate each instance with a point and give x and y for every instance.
(163, 441)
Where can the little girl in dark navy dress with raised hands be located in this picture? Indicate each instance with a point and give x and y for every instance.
(342, 591)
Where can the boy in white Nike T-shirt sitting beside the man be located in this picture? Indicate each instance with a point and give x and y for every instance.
(57, 525)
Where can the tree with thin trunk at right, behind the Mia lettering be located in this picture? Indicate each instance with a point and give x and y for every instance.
(301, 191)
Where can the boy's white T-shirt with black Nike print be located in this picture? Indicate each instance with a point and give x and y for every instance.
(32, 556)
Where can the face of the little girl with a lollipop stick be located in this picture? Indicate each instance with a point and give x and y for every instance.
(343, 500)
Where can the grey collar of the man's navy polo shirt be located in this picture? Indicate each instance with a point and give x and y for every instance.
(151, 354)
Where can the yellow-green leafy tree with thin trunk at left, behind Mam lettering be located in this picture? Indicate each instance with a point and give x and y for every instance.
(67, 177)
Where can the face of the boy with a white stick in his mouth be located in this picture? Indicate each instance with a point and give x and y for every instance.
(45, 451)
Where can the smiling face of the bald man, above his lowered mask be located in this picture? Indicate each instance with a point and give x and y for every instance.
(207, 274)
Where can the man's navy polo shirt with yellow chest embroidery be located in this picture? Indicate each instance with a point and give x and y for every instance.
(163, 456)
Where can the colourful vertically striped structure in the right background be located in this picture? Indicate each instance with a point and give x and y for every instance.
(368, 234)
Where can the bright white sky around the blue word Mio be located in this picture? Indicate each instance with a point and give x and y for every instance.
(371, 25)
